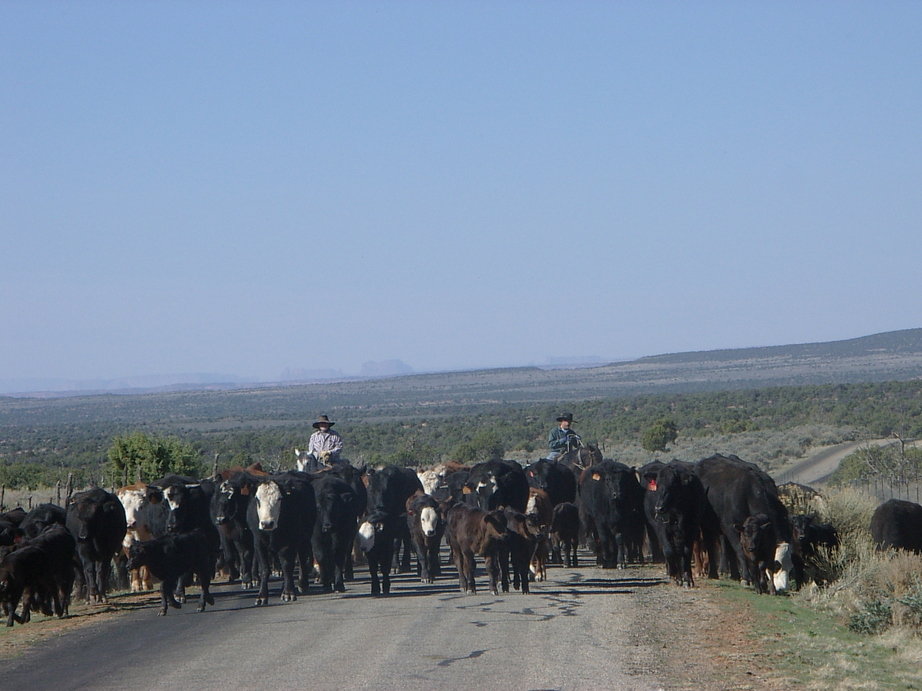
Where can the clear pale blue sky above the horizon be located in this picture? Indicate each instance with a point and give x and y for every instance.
(245, 188)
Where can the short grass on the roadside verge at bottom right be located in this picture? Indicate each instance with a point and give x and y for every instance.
(812, 648)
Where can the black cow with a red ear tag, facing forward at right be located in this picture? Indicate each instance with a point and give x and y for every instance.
(678, 507)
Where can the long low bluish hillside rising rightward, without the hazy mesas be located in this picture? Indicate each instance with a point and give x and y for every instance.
(893, 356)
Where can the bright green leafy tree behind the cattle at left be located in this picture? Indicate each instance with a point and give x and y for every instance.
(138, 457)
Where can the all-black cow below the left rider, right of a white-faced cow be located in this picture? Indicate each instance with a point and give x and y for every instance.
(338, 510)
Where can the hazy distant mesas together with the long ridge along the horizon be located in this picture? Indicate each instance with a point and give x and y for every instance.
(890, 356)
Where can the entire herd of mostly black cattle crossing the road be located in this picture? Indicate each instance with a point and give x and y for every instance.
(720, 515)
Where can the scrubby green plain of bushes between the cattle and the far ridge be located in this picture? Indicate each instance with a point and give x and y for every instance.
(42, 442)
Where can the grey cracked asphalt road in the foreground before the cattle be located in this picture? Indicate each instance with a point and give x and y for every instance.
(577, 630)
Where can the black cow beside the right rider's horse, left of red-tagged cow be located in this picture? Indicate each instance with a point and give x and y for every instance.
(611, 511)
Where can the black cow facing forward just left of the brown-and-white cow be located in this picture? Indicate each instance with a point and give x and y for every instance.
(96, 518)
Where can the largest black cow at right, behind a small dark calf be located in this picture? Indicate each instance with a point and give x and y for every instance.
(735, 491)
